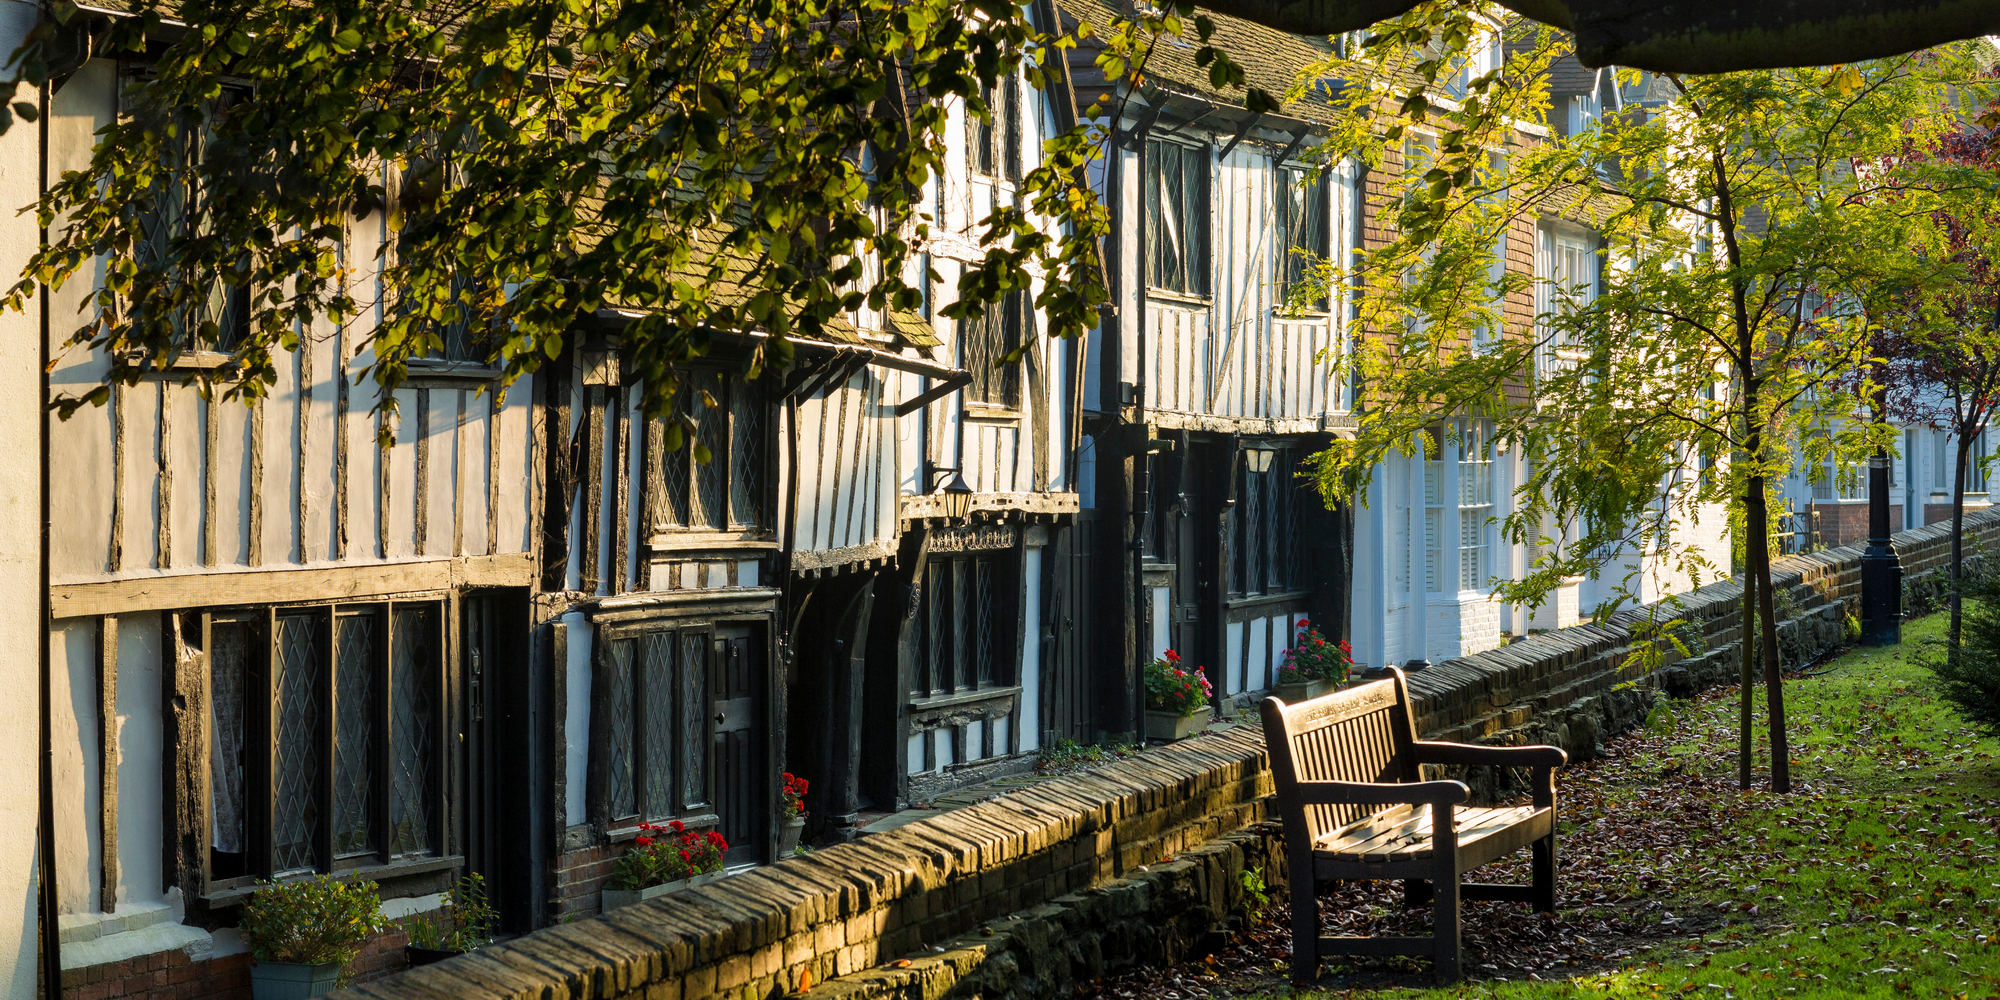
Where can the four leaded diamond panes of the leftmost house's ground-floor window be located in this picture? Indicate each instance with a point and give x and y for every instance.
(327, 735)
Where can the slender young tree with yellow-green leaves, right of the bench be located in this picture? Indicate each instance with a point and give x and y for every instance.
(1733, 217)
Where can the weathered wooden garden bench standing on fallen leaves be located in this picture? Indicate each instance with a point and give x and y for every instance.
(1353, 807)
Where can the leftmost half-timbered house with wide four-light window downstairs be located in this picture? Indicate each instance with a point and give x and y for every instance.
(279, 647)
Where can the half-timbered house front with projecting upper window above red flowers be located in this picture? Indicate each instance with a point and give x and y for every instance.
(705, 569)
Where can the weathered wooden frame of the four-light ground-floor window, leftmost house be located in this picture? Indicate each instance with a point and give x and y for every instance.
(379, 863)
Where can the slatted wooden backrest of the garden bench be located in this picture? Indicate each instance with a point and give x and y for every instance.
(1357, 735)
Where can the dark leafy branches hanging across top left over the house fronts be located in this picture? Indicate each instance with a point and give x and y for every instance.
(713, 167)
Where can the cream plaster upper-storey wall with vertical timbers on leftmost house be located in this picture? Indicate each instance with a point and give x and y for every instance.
(299, 459)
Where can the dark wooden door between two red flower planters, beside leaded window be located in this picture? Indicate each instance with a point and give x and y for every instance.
(739, 759)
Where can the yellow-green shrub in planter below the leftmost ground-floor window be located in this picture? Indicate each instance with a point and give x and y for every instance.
(311, 921)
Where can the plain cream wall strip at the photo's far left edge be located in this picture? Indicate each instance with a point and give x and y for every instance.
(21, 545)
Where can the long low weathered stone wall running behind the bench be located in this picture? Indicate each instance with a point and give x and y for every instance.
(1141, 861)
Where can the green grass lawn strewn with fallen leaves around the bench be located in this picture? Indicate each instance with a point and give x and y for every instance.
(1879, 877)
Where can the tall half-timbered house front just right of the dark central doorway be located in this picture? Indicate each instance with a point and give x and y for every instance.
(983, 627)
